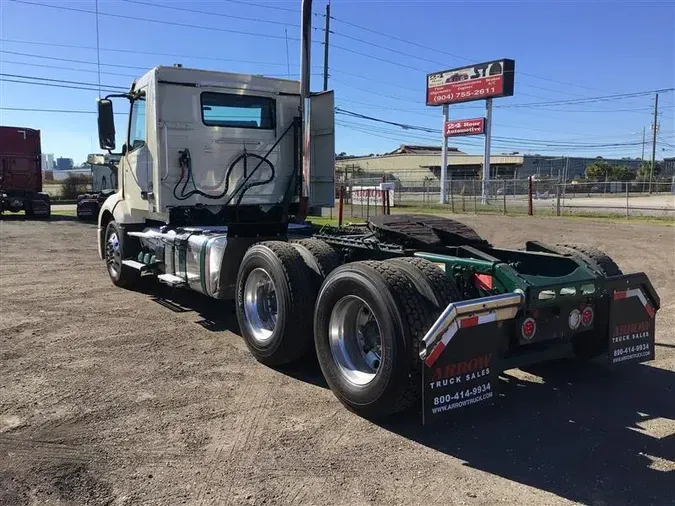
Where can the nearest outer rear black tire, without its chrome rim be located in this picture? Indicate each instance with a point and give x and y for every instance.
(403, 317)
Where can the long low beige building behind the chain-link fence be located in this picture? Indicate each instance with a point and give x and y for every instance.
(411, 164)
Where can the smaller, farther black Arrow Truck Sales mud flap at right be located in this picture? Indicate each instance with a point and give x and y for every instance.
(632, 317)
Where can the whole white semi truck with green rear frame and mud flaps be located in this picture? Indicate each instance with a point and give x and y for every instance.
(216, 174)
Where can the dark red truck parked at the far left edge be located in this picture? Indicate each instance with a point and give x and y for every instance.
(21, 173)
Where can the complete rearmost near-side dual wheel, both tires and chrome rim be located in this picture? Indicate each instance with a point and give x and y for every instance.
(368, 321)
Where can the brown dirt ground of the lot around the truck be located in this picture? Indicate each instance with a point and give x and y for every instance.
(113, 397)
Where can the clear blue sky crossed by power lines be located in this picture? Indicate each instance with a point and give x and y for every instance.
(563, 51)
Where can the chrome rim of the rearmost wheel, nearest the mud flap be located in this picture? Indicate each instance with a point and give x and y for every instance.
(355, 340)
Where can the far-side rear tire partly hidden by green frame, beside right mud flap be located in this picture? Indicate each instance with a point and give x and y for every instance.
(592, 343)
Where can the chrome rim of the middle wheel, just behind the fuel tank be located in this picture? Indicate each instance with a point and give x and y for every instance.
(260, 305)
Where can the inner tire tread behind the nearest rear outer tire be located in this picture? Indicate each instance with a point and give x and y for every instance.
(429, 280)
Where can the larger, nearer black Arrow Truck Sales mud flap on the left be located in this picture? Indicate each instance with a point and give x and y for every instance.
(461, 373)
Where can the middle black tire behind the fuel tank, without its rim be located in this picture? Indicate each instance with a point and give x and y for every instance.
(296, 288)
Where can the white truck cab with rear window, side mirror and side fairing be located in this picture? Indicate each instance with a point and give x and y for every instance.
(206, 147)
